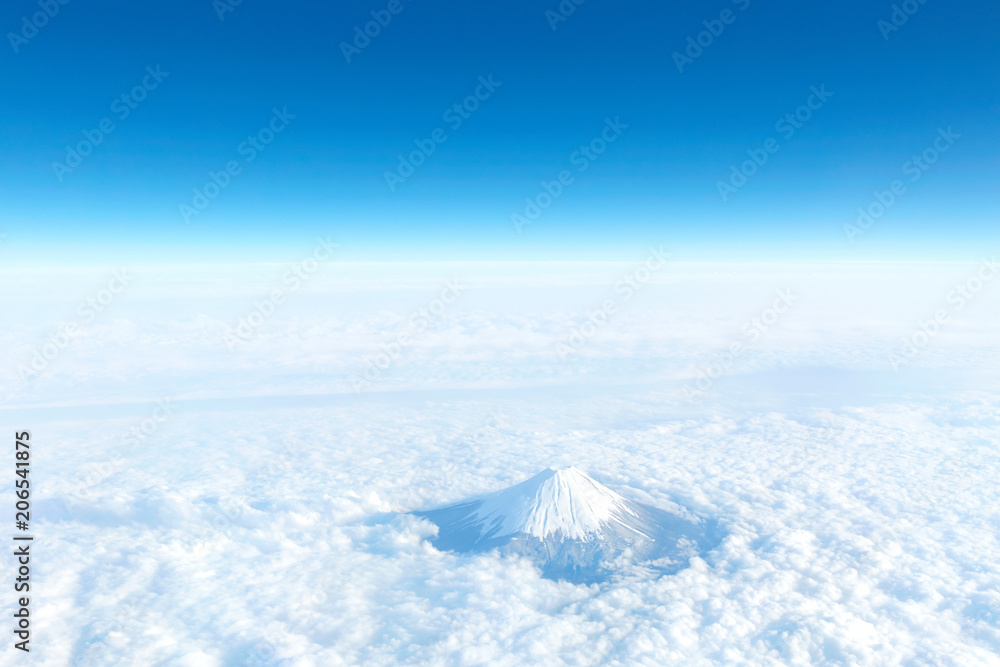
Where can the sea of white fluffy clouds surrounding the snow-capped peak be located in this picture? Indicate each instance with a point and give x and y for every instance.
(200, 500)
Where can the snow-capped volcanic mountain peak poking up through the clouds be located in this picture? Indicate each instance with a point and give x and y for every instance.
(572, 527)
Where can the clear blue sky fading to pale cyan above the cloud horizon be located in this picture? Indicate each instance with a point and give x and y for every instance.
(656, 185)
